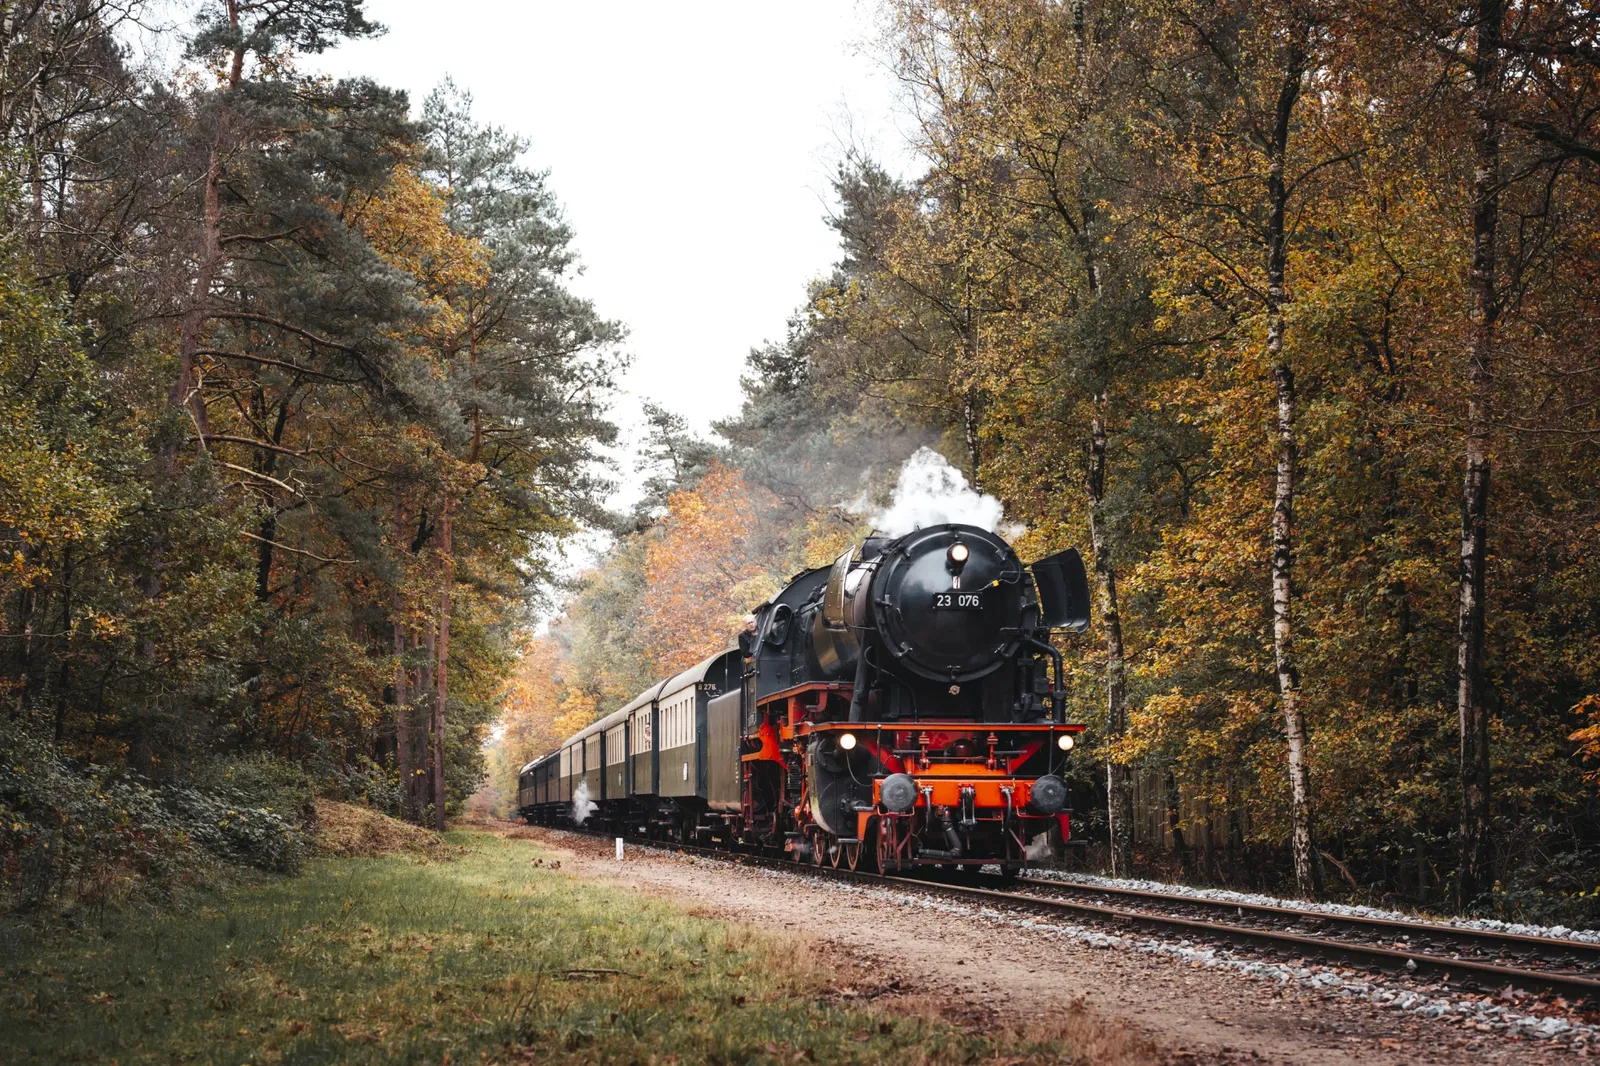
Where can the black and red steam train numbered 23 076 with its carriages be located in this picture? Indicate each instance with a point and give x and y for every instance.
(902, 708)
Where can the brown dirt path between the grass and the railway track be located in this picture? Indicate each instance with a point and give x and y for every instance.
(986, 971)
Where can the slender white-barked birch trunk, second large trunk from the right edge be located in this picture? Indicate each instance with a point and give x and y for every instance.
(1308, 872)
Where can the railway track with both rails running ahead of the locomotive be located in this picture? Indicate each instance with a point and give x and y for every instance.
(1481, 961)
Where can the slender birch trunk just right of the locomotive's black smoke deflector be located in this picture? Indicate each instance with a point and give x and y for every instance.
(1119, 787)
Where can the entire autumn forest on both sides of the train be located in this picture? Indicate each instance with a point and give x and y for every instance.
(1284, 313)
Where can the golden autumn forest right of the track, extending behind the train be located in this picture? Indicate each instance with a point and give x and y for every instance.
(1295, 342)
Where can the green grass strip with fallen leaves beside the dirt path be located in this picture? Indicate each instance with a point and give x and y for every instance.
(487, 958)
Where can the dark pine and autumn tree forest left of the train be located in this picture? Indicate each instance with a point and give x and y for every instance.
(298, 406)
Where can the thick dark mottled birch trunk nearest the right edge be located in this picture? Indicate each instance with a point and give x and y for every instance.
(1471, 691)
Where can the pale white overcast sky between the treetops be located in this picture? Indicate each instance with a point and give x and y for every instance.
(692, 145)
